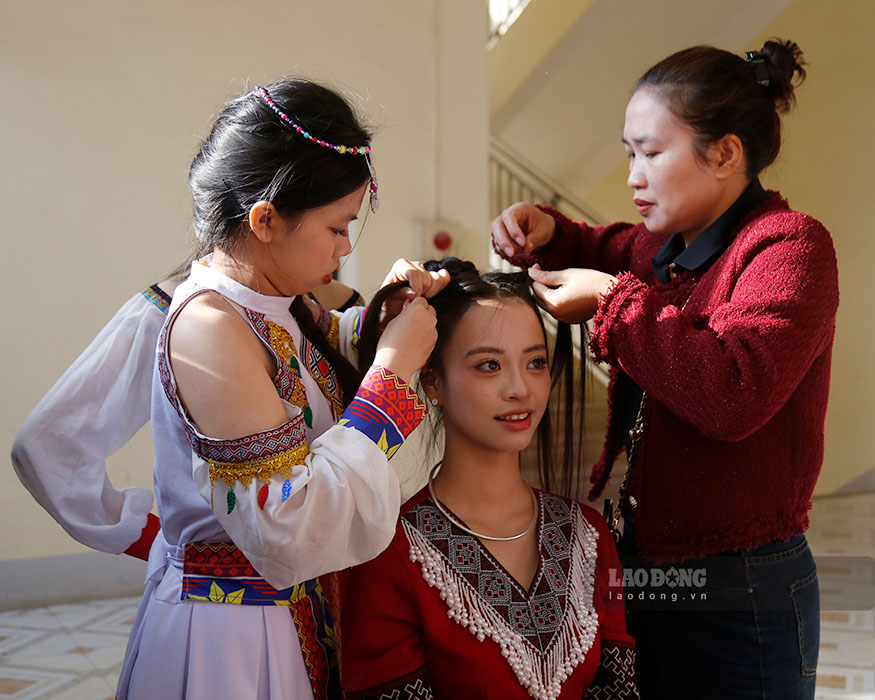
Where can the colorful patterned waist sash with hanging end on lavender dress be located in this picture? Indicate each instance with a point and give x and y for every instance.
(218, 572)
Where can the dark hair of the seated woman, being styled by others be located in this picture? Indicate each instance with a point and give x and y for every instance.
(467, 286)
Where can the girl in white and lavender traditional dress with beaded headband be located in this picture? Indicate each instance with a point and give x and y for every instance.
(271, 449)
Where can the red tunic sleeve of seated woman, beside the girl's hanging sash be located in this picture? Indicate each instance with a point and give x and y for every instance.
(383, 653)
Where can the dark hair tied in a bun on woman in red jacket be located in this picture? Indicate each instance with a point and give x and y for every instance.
(717, 92)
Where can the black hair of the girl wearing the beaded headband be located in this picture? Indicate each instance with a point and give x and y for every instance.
(250, 155)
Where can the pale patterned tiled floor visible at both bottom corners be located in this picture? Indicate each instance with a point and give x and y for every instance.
(75, 652)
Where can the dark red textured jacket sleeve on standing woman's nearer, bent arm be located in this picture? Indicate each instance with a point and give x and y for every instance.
(729, 369)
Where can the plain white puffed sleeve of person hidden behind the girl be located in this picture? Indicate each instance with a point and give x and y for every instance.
(97, 406)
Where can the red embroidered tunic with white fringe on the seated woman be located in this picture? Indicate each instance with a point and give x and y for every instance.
(435, 627)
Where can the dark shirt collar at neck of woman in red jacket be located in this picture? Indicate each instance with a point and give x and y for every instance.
(675, 255)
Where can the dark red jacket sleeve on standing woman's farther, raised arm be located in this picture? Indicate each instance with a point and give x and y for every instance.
(577, 244)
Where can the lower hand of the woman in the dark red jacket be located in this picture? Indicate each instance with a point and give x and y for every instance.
(570, 295)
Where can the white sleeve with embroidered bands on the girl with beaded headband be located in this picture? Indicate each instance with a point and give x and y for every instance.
(298, 511)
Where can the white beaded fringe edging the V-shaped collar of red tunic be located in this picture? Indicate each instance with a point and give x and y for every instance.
(540, 674)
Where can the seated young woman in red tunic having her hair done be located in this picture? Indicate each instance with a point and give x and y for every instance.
(490, 588)
